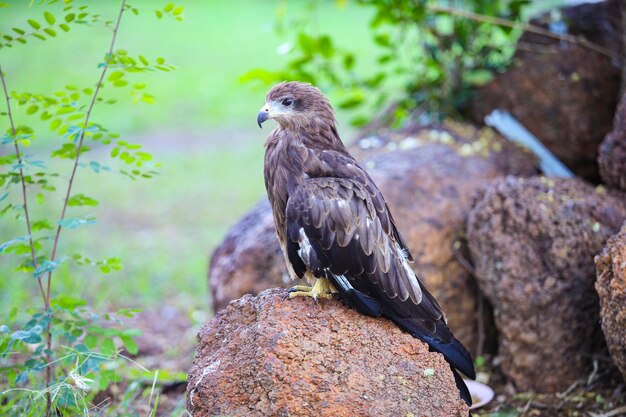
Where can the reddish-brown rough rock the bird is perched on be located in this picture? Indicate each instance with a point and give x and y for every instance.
(271, 356)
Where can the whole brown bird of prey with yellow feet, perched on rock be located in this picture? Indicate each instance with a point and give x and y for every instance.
(335, 228)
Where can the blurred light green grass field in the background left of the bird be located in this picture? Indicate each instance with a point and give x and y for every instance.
(202, 129)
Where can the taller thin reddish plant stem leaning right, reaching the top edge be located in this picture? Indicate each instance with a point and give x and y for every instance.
(70, 185)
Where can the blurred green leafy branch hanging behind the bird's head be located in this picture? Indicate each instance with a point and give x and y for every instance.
(430, 59)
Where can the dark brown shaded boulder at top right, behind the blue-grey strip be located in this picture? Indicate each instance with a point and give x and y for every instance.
(565, 94)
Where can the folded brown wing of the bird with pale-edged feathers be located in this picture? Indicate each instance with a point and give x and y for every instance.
(336, 230)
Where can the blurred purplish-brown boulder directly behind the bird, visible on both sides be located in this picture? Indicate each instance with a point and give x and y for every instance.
(428, 176)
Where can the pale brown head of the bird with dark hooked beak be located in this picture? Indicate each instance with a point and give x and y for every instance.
(296, 105)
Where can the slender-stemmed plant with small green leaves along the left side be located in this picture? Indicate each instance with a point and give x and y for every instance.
(64, 318)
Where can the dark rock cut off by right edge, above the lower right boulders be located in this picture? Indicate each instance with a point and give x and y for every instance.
(612, 157)
